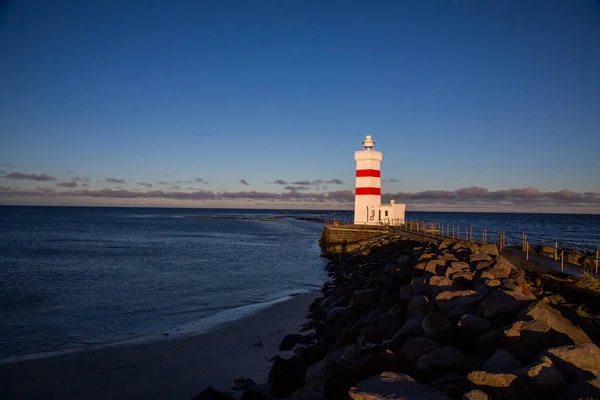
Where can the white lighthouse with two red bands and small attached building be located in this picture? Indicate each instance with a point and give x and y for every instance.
(368, 209)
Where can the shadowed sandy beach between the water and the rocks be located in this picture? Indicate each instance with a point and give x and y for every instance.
(168, 369)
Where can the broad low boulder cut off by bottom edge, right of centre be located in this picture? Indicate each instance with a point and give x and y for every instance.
(390, 385)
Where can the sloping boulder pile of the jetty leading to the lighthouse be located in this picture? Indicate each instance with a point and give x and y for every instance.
(407, 319)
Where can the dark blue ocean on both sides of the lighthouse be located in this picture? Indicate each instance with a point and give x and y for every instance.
(78, 277)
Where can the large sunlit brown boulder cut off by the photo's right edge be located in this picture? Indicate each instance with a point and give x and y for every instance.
(578, 362)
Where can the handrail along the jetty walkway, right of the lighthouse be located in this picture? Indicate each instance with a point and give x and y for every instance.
(583, 256)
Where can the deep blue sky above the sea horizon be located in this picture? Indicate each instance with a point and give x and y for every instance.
(499, 95)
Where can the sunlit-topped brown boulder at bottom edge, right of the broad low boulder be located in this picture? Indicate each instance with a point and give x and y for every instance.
(499, 386)
